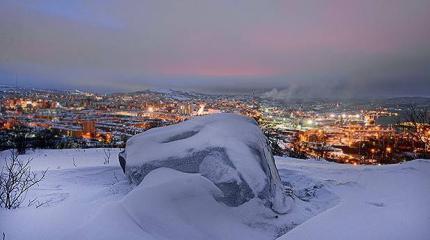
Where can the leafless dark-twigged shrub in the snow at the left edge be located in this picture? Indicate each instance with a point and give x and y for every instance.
(16, 178)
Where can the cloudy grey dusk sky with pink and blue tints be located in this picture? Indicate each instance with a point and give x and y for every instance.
(302, 48)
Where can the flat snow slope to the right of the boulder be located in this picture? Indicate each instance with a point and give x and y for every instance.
(377, 202)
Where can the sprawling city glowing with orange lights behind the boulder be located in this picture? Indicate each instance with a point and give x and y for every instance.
(349, 135)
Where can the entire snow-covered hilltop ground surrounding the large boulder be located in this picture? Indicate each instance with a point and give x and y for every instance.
(86, 199)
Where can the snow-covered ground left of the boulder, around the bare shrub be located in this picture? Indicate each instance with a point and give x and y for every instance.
(76, 185)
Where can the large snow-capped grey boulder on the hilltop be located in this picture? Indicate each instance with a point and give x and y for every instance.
(229, 150)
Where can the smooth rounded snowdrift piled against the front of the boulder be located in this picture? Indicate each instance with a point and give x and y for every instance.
(170, 204)
